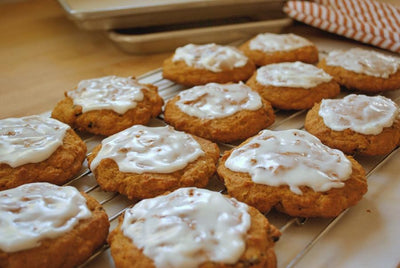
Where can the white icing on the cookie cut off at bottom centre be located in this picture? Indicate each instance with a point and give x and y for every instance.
(188, 227)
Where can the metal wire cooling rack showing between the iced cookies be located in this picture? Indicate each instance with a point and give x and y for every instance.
(294, 228)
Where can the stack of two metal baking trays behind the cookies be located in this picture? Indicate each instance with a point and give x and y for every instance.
(161, 25)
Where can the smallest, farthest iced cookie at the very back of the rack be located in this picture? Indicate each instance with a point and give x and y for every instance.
(267, 48)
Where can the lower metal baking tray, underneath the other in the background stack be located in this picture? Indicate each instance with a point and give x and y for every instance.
(167, 38)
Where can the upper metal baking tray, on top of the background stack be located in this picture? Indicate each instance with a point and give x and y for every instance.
(112, 14)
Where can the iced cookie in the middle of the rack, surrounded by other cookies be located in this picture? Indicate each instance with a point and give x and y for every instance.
(219, 112)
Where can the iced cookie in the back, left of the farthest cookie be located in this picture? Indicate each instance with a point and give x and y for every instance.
(193, 65)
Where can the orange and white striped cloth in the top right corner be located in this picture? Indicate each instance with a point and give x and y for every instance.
(368, 21)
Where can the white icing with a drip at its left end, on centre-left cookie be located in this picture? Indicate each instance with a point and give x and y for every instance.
(142, 149)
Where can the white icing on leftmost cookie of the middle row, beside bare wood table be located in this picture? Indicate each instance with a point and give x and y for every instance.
(118, 94)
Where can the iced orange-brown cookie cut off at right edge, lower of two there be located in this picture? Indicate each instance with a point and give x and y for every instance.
(356, 124)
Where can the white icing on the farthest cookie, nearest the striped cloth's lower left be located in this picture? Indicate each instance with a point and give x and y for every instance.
(269, 42)
